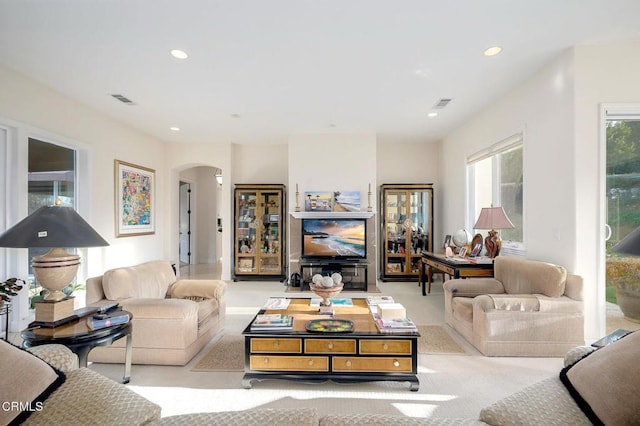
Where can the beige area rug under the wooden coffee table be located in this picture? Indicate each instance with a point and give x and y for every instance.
(228, 353)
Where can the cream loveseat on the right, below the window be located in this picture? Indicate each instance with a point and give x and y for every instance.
(529, 308)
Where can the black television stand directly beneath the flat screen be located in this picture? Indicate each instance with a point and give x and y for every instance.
(354, 272)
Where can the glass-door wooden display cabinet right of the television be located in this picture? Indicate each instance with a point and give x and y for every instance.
(406, 229)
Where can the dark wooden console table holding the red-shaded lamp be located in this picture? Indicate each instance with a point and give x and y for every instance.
(454, 266)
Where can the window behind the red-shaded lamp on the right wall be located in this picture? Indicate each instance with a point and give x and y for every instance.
(495, 178)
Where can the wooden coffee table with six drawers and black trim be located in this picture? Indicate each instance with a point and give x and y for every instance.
(362, 355)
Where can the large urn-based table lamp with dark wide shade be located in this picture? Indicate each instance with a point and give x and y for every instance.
(53, 227)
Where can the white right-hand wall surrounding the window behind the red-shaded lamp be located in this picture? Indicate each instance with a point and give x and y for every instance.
(558, 110)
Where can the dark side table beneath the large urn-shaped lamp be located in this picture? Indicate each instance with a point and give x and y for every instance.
(78, 337)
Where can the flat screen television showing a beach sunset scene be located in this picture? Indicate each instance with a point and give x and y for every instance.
(334, 239)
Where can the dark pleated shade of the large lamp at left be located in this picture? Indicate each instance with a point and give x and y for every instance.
(52, 226)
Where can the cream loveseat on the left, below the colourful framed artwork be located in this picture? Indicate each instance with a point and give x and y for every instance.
(172, 319)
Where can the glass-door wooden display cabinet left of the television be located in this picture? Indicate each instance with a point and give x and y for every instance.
(259, 222)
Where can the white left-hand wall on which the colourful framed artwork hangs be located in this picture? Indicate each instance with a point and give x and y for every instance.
(33, 110)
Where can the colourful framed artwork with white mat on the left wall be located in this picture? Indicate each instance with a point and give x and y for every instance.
(135, 199)
